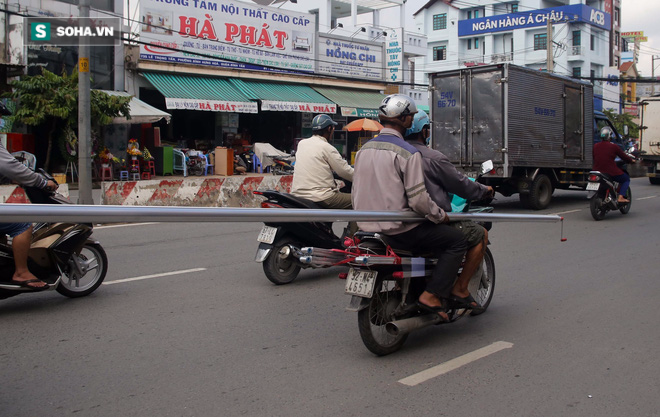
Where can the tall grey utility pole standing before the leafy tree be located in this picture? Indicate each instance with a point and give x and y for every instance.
(84, 122)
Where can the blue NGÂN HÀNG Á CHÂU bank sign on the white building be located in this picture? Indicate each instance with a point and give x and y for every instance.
(535, 18)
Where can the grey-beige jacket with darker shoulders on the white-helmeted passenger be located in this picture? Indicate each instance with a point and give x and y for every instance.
(389, 176)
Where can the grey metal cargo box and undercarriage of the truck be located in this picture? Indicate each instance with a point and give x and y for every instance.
(529, 123)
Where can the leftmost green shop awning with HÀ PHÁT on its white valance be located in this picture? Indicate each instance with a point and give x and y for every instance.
(190, 92)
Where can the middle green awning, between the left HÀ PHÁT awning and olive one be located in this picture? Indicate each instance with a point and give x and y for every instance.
(285, 97)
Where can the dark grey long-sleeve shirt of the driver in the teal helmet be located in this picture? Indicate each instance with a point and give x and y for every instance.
(442, 178)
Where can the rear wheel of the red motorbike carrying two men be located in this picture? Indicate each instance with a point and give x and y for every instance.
(372, 319)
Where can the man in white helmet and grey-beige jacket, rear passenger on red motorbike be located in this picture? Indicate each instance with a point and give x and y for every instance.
(389, 175)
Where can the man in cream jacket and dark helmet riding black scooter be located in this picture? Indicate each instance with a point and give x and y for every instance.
(316, 159)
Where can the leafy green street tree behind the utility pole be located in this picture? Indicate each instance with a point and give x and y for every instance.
(52, 100)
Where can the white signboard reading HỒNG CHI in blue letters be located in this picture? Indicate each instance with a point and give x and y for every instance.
(340, 56)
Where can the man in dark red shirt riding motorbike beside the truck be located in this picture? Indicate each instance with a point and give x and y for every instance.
(605, 153)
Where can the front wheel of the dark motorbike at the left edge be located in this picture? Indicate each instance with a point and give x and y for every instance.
(93, 262)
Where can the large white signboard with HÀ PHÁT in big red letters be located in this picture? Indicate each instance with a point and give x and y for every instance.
(227, 34)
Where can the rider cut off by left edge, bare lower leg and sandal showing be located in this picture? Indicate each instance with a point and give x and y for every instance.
(12, 169)
